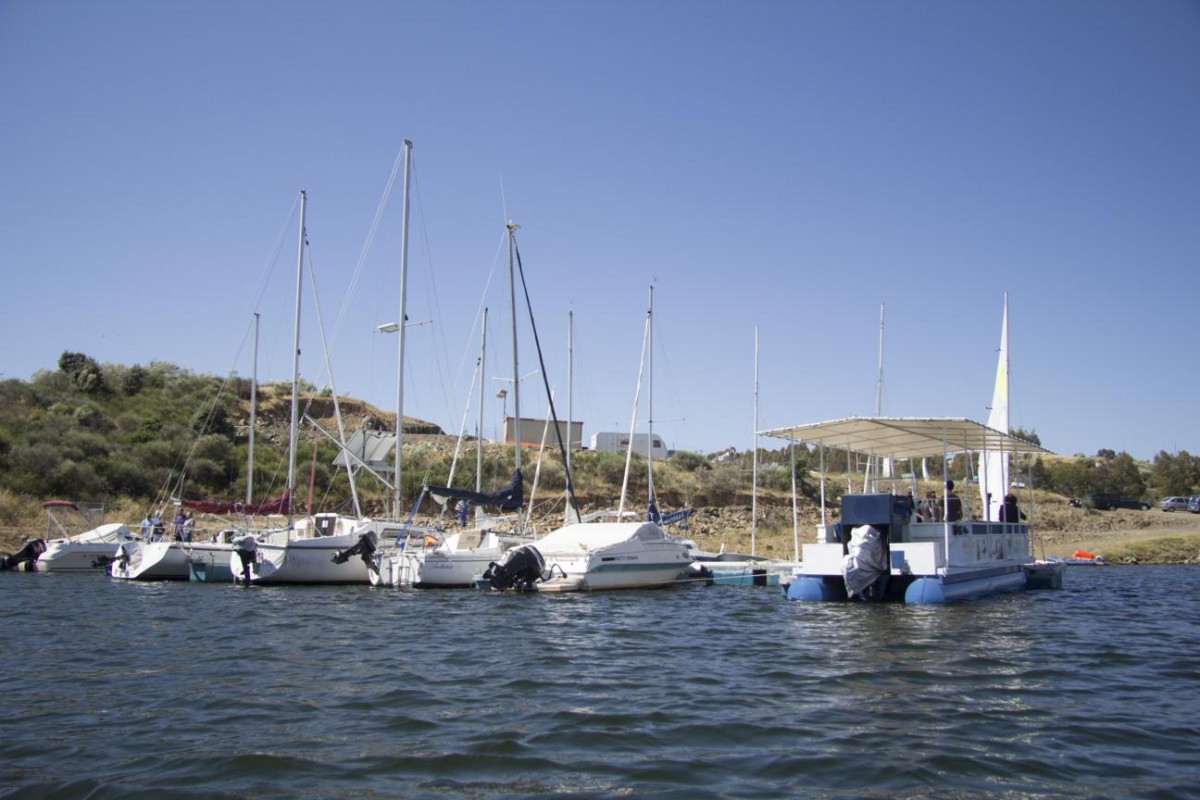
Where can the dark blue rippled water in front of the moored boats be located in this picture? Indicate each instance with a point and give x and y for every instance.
(124, 690)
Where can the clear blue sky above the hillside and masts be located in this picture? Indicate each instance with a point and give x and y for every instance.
(788, 165)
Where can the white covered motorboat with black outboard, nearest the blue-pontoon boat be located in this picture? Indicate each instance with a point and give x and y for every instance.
(591, 557)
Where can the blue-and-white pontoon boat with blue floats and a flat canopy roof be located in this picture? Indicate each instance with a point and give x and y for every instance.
(881, 551)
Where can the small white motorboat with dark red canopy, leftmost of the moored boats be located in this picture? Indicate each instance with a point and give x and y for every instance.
(91, 550)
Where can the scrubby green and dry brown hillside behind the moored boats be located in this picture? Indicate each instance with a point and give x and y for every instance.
(136, 437)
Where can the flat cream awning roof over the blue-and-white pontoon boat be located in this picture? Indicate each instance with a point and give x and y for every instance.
(905, 437)
